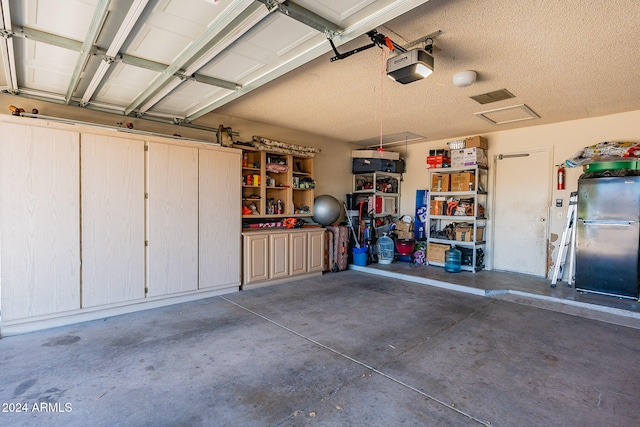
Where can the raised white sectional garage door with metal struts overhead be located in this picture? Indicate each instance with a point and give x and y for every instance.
(156, 57)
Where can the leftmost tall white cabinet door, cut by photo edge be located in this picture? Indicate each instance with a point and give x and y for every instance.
(40, 211)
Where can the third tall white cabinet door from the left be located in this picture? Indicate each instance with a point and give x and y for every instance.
(172, 219)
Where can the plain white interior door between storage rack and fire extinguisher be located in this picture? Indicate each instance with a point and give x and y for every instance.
(522, 191)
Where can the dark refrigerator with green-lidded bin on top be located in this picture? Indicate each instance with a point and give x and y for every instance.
(608, 233)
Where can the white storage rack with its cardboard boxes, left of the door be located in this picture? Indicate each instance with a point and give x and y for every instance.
(458, 197)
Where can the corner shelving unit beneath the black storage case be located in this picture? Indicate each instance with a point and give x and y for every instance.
(380, 189)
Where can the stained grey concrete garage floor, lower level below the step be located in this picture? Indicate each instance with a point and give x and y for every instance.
(348, 348)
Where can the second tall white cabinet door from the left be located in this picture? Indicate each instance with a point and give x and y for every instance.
(112, 220)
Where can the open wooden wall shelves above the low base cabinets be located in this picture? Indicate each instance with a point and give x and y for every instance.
(263, 187)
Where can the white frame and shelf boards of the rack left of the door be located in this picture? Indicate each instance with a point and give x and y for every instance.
(476, 217)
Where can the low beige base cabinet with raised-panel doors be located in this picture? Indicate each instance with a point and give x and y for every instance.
(278, 255)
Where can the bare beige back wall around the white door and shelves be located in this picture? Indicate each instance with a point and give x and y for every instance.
(564, 138)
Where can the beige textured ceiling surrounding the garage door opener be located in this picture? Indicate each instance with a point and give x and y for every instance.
(563, 59)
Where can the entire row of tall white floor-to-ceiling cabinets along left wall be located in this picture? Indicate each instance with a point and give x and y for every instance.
(94, 225)
